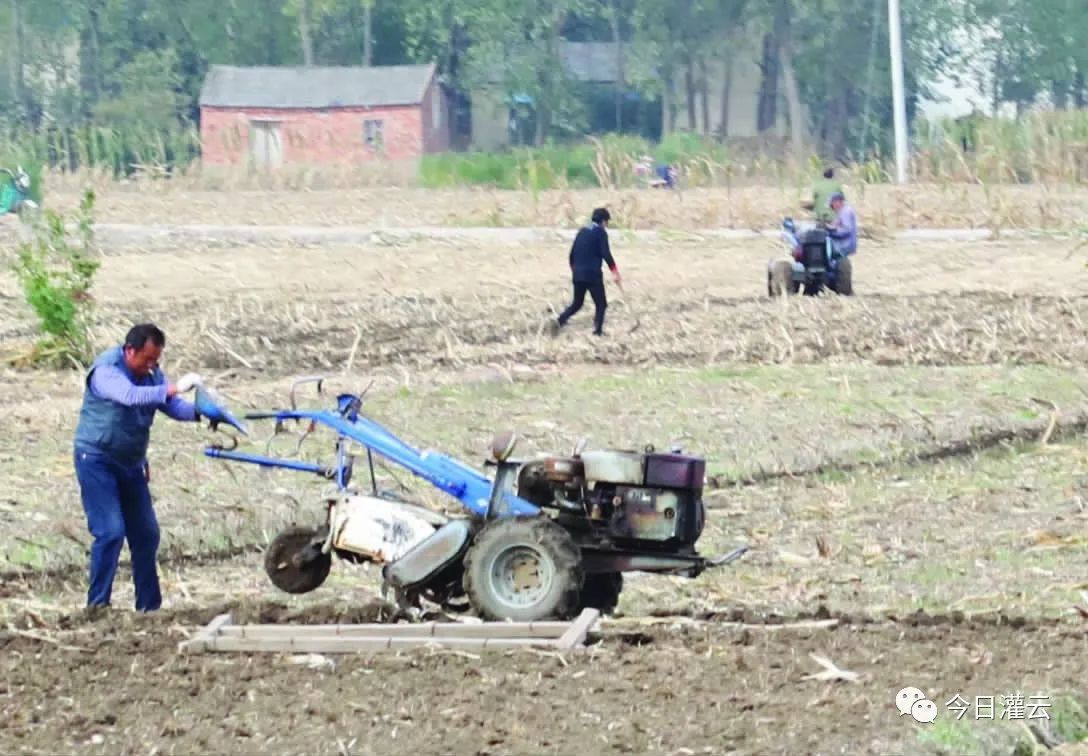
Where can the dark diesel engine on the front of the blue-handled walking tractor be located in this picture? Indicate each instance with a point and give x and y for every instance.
(650, 501)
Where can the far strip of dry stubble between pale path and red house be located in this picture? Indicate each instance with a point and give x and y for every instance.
(747, 205)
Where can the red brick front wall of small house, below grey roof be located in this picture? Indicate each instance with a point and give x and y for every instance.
(312, 137)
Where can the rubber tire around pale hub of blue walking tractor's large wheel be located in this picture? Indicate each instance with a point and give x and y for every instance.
(552, 542)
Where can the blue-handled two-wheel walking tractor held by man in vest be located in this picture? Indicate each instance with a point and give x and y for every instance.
(542, 539)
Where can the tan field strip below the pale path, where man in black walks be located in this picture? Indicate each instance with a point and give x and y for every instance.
(279, 312)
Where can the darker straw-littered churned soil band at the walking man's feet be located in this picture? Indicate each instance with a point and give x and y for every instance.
(452, 333)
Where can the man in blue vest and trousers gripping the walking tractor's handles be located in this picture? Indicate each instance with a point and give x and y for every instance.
(122, 392)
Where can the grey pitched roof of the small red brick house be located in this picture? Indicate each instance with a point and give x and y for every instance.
(233, 86)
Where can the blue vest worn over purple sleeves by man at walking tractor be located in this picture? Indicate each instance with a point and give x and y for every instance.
(112, 428)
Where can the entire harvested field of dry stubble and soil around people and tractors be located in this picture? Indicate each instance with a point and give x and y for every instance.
(909, 463)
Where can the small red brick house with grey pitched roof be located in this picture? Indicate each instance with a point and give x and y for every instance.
(322, 115)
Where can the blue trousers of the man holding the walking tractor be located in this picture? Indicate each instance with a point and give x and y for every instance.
(118, 504)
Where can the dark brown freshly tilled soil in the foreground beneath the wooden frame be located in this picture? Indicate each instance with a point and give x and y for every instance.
(119, 686)
